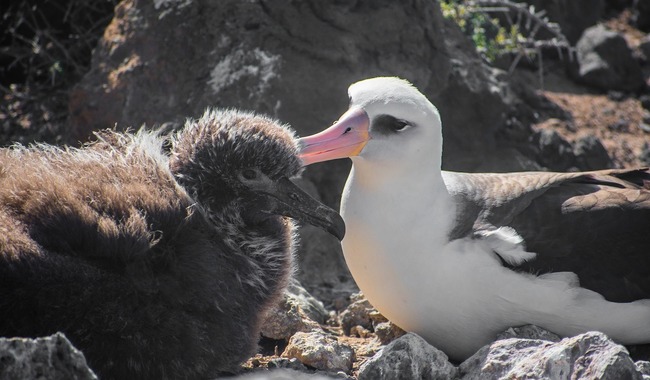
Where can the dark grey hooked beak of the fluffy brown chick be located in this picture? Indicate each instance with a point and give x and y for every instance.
(283, 197)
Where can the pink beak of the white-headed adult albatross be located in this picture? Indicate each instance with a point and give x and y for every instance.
(345, 138)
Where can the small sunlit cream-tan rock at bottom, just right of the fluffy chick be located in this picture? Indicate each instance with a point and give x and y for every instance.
(320, 351)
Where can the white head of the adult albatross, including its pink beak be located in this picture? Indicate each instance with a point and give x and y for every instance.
(389, 123)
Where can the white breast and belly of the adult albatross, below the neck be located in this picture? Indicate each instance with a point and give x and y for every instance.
(457, 295)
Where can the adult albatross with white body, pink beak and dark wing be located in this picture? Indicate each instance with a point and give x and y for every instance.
(460, 257)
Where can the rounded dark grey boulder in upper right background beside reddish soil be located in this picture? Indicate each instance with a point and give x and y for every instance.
(606, 62)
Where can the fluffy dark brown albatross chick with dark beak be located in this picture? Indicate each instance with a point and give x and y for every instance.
(156, 266)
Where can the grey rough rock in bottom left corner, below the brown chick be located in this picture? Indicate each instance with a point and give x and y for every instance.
(51, 357)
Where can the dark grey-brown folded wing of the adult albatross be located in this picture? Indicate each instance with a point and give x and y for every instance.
(594, 224)
